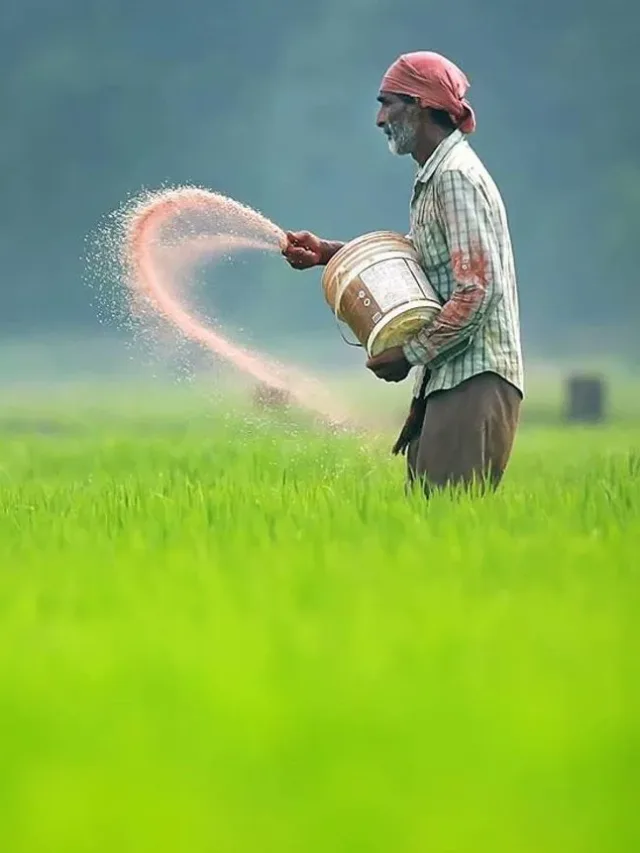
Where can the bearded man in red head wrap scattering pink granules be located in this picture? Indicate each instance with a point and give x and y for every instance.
(465, 410)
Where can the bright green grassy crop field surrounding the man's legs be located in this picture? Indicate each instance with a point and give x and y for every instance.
(245, 637)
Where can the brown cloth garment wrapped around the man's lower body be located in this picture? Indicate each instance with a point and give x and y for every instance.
(467, 435)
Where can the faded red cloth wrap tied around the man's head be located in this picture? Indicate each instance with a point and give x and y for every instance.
(436, 82)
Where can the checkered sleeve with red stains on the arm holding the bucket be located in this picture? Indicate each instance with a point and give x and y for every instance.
(470, 230)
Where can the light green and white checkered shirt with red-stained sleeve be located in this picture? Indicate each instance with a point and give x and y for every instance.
(459, 229)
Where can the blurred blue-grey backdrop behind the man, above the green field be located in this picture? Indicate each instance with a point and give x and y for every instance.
(274, 104)
